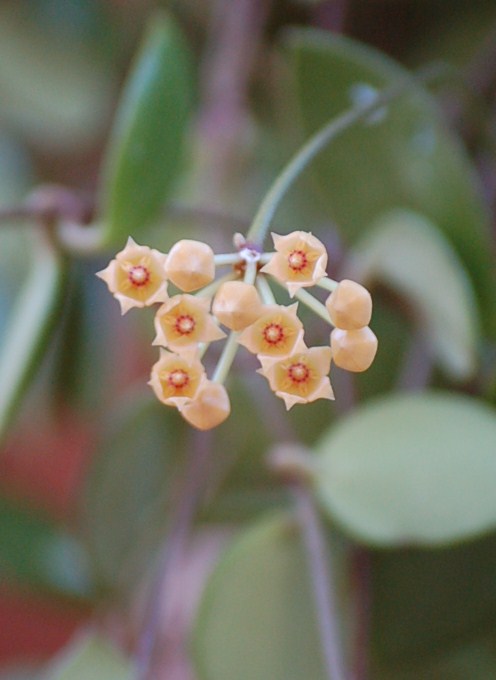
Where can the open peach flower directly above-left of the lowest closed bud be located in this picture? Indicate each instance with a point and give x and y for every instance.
(176, 379)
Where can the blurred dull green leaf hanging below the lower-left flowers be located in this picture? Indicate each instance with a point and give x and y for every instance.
(129, 486)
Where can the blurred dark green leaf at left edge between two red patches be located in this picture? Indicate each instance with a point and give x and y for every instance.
(37, 552)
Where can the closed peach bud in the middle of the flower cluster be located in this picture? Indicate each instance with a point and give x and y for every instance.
(237, 305)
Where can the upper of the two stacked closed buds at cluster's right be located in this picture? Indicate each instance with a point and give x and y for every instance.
(349, 306)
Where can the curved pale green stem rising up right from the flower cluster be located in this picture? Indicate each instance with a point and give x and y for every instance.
(318, 142)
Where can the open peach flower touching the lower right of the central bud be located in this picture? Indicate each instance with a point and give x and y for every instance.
(276, 333)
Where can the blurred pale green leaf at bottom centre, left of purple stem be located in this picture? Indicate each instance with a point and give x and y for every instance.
(256, 619)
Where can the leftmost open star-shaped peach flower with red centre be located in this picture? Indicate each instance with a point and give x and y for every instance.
(136, 276)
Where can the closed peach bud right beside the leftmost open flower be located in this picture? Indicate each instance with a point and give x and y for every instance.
(190, 265)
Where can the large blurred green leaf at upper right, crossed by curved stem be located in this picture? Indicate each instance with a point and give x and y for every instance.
(403, 156)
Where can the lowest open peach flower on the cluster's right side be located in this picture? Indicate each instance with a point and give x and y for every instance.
(301, 377)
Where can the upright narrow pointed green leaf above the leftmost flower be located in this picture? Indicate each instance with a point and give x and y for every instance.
(146, 147)
